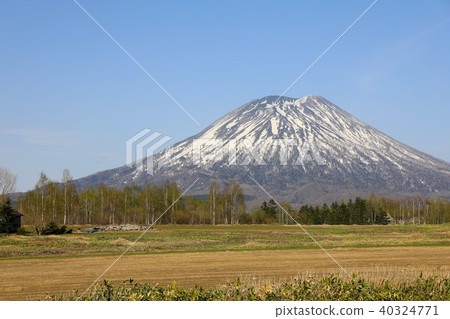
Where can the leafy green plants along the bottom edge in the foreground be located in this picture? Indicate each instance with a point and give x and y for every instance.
(326, 288)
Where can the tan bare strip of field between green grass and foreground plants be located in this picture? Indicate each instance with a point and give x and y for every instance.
(31, 279)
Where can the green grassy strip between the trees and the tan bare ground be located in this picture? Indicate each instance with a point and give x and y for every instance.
(185, 238)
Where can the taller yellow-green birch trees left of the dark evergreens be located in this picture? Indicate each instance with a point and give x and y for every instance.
(62, 203)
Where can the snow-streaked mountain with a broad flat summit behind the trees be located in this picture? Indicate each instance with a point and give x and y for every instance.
(303, 150)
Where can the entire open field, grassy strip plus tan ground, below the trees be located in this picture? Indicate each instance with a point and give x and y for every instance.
(212, 256)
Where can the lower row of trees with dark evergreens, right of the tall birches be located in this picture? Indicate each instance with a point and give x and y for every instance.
(374, 210)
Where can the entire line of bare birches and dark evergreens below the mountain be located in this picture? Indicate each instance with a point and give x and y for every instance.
(62, 203)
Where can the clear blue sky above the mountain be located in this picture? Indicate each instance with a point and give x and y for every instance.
(70, 98)
